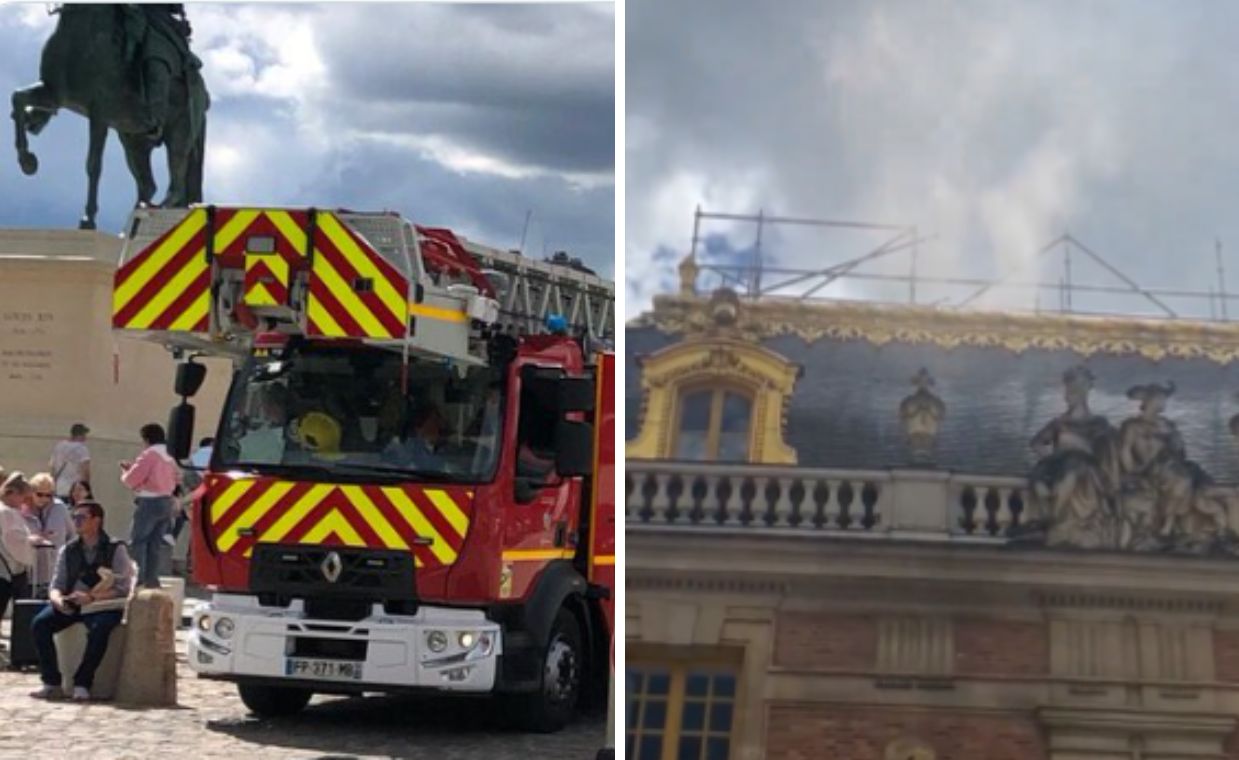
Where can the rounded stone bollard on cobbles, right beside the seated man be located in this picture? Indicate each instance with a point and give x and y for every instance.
(148, 675)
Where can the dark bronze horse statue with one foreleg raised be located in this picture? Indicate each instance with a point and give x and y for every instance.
(87, 70)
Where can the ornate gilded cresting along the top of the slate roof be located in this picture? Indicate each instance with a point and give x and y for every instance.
(883, 324)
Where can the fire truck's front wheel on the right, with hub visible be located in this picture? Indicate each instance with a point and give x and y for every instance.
(552, 706)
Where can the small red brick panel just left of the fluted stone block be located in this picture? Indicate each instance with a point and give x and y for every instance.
(826, 642)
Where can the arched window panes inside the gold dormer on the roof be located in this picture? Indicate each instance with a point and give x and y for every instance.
(716, 425)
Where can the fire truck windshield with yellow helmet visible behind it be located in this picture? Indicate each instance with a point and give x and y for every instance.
(344, 411)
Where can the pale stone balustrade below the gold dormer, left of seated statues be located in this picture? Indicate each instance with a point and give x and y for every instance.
(896, 504)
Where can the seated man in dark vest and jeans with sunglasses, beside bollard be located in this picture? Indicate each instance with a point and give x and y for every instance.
(90, 570)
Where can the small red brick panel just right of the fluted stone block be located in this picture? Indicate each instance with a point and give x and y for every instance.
(1002, 648)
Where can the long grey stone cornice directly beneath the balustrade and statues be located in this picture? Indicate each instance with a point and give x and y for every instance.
(982, 575)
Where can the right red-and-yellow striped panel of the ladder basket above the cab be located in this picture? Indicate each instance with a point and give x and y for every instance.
(335, 308)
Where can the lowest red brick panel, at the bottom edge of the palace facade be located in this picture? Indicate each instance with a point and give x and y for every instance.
(832, 732)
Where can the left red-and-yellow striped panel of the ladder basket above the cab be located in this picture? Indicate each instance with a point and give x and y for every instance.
(168, 285)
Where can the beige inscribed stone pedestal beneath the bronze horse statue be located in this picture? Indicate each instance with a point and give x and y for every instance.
(63, 364)
